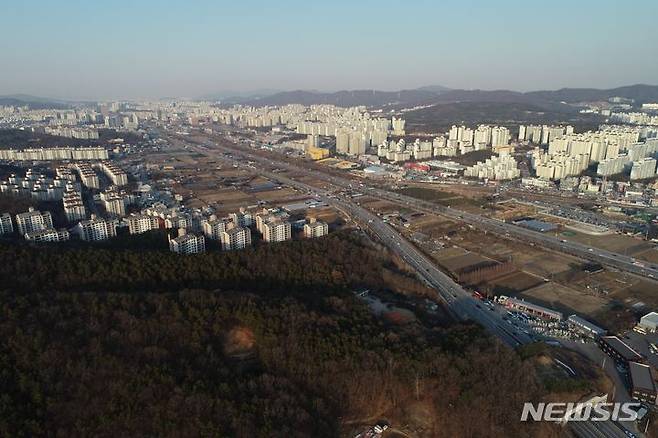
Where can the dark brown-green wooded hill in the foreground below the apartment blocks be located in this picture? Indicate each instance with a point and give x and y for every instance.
(266, 342)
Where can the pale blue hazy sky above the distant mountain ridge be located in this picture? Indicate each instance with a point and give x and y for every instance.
(155, 48)
